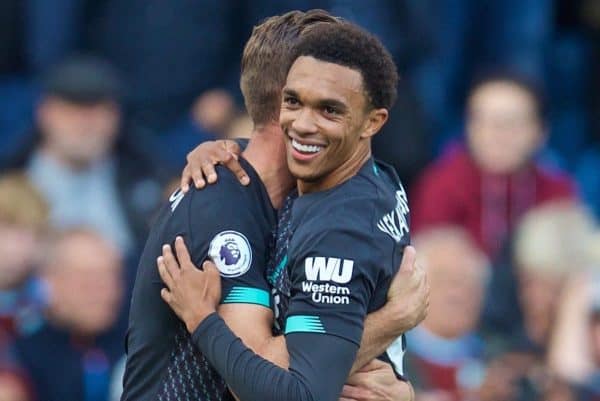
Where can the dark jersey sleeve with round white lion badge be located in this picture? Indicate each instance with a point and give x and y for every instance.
(235, 236)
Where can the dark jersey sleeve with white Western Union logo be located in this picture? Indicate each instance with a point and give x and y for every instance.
(334, 279)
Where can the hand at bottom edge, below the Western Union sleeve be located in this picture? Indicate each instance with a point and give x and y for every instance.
(376, 381)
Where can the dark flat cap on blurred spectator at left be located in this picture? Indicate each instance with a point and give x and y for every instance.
(83, 79)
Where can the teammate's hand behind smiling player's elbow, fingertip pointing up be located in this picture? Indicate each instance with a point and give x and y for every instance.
(408, 296)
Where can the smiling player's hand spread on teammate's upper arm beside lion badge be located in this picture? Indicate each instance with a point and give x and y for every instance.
(193, 294)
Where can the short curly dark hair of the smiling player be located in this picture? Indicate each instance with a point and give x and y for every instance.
(351, 46)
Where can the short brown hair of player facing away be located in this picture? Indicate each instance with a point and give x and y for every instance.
(267, 58)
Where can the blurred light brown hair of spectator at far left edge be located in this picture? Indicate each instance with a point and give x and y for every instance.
(21, 204)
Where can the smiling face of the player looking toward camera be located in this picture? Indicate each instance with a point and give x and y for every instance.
(327, 122)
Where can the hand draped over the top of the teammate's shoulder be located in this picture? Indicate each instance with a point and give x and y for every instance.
(201, 163)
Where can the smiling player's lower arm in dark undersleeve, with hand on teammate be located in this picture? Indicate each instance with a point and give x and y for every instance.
(247, 374)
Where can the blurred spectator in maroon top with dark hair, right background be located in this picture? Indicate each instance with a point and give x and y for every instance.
(486, 185)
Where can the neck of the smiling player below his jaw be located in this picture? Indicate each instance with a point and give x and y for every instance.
(341, 174)
